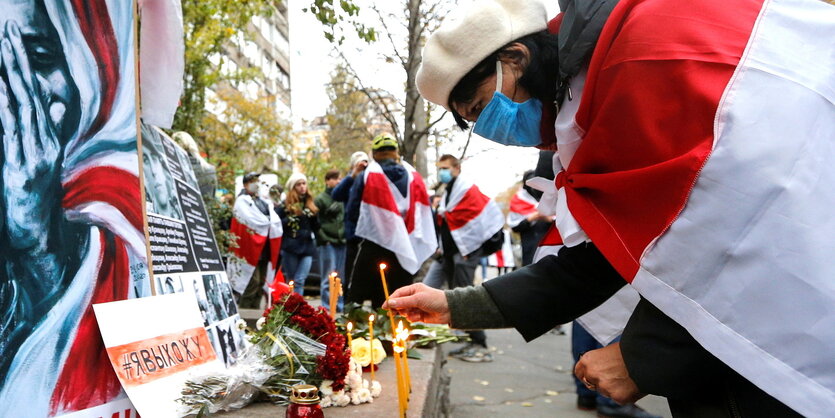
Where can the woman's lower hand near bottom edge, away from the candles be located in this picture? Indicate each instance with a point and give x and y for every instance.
(604, 370)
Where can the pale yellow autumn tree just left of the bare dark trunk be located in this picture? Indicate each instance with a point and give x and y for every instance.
(347, 116)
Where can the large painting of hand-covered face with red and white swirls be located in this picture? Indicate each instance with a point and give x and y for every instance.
(71, 224)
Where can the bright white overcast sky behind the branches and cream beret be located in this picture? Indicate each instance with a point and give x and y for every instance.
(493, 167)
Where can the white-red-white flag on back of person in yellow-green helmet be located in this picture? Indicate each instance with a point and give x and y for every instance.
(400, 224)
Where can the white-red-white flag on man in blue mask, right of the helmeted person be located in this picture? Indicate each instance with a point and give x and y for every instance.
(472, 217)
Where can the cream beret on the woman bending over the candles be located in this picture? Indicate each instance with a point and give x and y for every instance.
(461, 43)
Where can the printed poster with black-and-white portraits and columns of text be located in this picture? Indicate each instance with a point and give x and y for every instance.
(185, 255)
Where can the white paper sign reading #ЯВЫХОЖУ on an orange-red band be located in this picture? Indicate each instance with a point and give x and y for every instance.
(154, 344)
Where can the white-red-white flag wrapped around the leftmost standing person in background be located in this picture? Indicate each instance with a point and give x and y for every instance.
(254, 230)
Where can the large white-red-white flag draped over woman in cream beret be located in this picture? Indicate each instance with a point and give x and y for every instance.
(725, 226)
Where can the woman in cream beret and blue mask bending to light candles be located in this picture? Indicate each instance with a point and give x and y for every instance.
(696, 141)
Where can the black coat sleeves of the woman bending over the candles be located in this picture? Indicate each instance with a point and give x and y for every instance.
(661, 356)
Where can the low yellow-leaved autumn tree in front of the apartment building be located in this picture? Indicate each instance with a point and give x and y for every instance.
(244, 135)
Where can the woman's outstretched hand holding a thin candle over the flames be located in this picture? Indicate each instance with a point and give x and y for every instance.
(420, 303)
